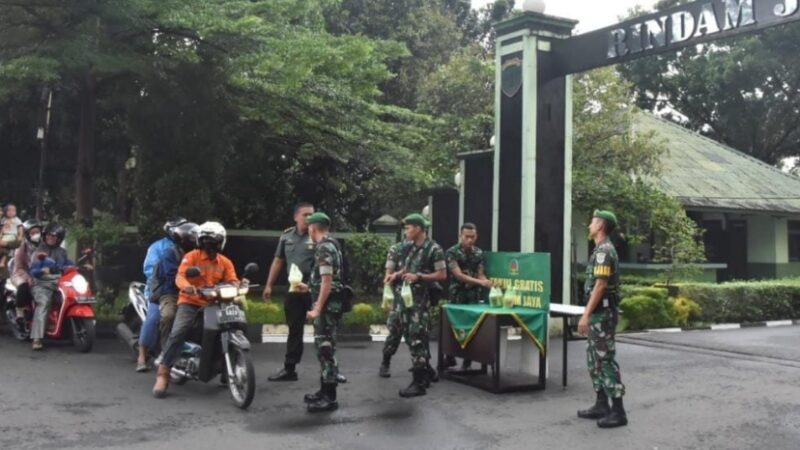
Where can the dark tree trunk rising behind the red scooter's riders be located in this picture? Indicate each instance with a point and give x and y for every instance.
(84, 174)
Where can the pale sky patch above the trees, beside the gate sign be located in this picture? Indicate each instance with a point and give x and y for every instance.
(592, 14)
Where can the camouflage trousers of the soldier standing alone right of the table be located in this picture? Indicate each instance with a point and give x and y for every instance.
(601, 352)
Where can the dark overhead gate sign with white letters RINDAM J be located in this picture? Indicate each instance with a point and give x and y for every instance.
(674, 28)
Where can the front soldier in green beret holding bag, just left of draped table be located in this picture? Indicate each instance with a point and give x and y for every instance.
(423, 264)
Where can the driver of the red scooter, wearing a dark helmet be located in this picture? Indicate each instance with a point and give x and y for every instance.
(47, 262)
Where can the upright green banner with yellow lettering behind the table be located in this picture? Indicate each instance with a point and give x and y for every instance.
(526, 273)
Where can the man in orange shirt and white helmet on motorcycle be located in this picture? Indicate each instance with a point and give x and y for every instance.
(214, 268)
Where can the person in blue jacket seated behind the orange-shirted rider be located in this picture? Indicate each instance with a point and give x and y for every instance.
(162, 261)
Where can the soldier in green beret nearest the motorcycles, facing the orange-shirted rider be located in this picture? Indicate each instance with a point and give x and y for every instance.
(326, 288)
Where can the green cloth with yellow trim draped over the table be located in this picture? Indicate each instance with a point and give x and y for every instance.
(466, 320)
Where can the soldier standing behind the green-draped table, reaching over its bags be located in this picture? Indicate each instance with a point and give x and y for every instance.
(468, 282)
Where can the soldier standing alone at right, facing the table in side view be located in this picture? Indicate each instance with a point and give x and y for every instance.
(599, 323)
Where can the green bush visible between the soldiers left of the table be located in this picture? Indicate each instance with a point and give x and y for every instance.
(366, 255)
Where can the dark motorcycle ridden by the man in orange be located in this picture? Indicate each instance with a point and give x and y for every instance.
(217, 344)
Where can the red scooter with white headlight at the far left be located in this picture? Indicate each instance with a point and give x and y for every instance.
(71, 314)
